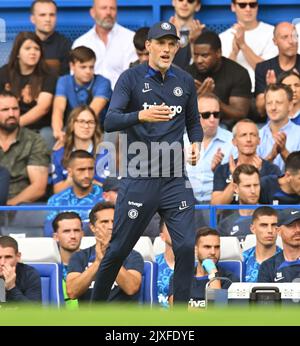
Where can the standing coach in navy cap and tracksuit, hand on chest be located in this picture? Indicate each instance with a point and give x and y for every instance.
(152, 104)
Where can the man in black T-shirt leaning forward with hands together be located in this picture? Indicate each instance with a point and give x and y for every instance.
(226, 78)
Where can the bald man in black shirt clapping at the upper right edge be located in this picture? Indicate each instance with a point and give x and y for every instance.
(268, 71)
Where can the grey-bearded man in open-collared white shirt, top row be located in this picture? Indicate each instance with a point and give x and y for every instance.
(111, 42)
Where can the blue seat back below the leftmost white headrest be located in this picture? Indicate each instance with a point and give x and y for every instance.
(51, 280)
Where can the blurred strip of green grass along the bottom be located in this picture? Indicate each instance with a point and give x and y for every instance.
(109, 315)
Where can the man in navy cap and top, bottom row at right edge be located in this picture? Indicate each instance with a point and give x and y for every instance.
(285, 266)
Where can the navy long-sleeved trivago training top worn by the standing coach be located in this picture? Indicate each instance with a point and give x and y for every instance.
(140, 88)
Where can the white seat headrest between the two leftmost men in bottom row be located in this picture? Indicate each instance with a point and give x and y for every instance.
(39, 250)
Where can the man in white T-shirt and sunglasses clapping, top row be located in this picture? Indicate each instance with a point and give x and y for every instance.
(240, 42)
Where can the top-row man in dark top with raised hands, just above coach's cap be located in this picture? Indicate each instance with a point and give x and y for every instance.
(187, 27)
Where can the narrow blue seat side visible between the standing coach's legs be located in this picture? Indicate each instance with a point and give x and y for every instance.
(148, 291)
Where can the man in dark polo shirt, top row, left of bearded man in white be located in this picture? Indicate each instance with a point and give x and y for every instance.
(56, 46)
